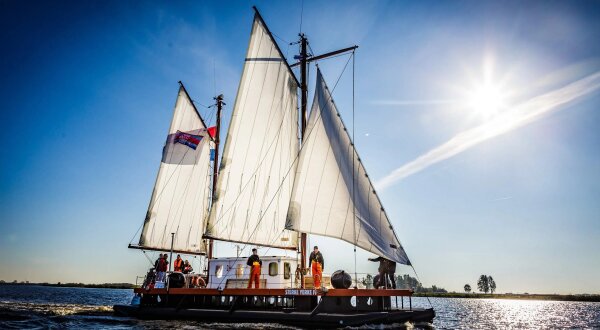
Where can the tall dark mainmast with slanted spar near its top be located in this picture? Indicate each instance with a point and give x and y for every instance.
(304, 60)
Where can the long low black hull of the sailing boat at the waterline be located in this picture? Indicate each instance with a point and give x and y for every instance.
(302, 319)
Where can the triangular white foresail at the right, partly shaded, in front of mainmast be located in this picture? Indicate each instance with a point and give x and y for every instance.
(322, 201)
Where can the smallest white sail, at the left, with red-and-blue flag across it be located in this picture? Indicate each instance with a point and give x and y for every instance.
(181, 195)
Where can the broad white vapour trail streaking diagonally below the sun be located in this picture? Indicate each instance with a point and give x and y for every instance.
(522, 114)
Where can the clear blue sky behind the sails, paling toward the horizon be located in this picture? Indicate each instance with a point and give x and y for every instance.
(87, 91)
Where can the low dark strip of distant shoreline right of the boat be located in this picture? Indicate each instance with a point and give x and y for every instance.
(520, 296)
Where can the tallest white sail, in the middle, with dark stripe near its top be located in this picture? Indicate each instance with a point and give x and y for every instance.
(256, 172)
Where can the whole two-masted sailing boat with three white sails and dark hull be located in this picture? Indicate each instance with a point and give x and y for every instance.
(278, 180)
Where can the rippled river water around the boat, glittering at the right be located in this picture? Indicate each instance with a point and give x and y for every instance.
(33, 307)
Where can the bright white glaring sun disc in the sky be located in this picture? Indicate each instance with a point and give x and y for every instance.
(486, 100)
